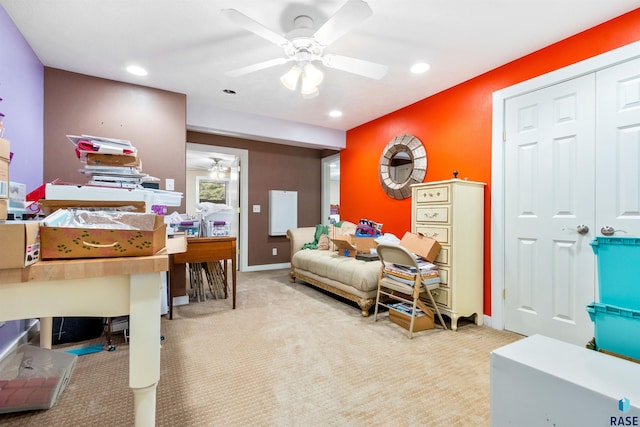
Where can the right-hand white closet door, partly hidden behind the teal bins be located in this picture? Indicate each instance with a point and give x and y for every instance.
(618, 149)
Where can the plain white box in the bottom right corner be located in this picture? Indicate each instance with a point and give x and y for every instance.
(541, 381)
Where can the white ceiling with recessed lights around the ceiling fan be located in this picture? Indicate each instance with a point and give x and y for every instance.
(187, 46)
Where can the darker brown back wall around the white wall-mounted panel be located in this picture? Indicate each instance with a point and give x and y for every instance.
(274, 167)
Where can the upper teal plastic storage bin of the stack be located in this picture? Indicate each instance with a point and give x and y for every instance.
(618, 261)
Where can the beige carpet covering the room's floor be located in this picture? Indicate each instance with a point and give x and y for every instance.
(289, 355)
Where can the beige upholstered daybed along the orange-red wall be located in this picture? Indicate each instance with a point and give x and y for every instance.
(347, 277)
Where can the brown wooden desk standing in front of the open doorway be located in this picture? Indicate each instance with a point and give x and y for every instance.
(201, 249)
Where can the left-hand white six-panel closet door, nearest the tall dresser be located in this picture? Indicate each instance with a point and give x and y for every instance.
(549, 183)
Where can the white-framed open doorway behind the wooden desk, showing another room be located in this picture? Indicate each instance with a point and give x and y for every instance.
(232, 174)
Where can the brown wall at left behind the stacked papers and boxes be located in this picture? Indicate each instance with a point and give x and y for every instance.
(153, 120)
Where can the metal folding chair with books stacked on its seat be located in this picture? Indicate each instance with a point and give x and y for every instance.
(400, 291)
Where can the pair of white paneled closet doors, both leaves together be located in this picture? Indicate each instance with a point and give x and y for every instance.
(572, 159)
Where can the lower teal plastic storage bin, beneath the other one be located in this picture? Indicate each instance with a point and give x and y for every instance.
(616, 329)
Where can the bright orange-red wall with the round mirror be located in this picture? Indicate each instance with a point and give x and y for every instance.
(455, 128)
